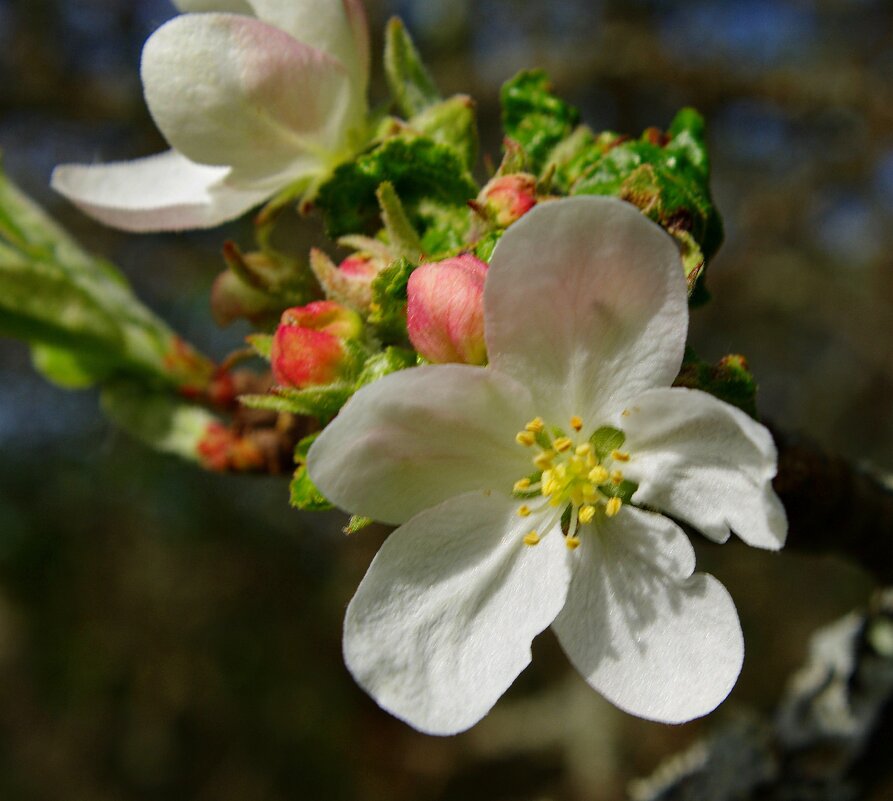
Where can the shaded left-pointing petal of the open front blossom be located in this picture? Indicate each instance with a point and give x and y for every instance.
(417, 437)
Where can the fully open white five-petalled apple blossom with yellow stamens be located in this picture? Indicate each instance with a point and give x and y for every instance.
(586, 319)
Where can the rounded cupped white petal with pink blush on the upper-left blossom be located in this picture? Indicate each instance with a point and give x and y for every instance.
(230, 90)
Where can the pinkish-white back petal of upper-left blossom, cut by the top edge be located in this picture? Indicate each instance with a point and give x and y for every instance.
(337, 27)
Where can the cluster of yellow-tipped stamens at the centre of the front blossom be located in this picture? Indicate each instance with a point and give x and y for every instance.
(582, 475)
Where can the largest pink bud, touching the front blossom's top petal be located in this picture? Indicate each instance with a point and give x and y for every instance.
(445, 311)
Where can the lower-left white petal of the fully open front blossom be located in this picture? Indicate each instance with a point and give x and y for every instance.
(442, 623)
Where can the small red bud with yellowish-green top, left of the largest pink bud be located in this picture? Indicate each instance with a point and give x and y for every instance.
(309, 345)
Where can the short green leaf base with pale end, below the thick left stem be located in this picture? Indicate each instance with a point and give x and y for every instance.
(158, 419)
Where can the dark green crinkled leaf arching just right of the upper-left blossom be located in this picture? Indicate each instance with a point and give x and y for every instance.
(420, 169)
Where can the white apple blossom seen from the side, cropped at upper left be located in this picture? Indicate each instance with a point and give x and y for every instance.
(251, 102)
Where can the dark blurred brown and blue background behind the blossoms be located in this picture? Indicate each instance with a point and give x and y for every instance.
(167, 634)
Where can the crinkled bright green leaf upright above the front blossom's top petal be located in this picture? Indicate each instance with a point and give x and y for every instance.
(534, 117)
